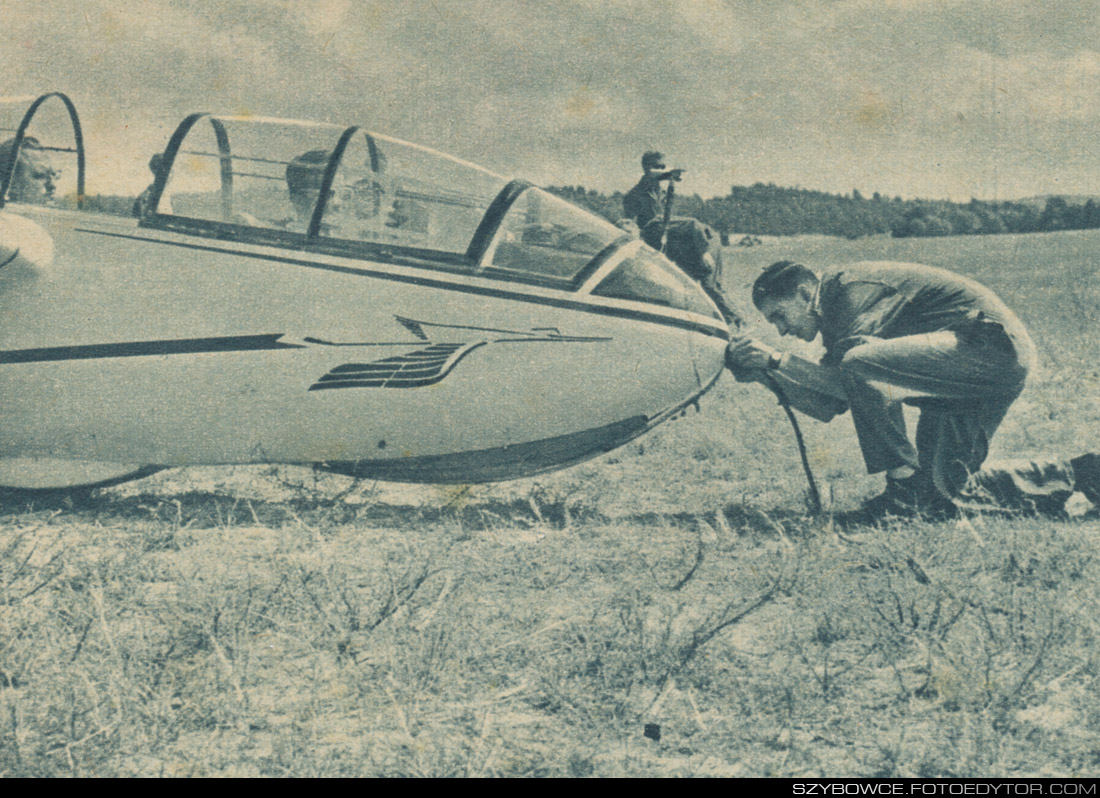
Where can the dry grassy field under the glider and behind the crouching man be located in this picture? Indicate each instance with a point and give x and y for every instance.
(668, 609)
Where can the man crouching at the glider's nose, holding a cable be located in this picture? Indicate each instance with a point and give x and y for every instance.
(899, 334)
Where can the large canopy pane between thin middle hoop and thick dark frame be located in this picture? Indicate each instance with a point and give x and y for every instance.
(390, 192)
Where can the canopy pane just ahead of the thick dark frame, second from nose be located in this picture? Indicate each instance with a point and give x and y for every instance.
(545, 236)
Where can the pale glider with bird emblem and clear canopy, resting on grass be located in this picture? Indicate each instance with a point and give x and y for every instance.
(316, 294)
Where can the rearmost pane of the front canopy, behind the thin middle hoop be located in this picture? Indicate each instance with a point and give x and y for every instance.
(250, 172)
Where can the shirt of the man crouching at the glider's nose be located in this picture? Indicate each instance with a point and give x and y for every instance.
(874, 300)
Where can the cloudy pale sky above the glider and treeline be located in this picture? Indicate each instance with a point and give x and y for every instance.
(996, 100)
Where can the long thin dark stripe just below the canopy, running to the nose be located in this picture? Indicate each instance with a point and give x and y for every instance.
(431, 283)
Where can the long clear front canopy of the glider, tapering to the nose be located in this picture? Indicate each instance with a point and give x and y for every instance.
(358, 194)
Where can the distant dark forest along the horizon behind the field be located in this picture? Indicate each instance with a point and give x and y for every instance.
(766, 210)
